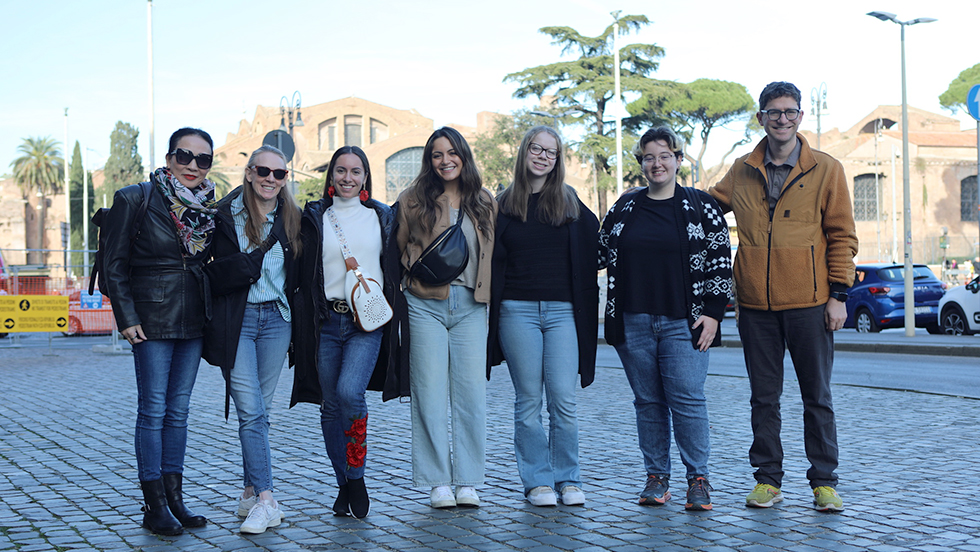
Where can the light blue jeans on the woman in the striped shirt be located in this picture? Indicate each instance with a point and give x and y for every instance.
(262, 347)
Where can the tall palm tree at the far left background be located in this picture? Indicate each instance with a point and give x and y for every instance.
(38, 172)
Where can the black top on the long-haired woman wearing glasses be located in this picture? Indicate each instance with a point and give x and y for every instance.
(539, 264)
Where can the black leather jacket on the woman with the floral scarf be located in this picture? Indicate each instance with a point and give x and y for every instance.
(155, 286)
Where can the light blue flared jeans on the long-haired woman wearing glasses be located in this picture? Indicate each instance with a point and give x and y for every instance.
(539, 341)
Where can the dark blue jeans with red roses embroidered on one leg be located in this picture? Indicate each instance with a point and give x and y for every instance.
(345, 362)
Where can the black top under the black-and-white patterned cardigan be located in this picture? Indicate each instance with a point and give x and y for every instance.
(650, 258)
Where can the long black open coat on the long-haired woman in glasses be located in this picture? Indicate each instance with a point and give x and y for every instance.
(584, 246)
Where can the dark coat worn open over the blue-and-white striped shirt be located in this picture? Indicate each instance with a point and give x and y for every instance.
(228, 311)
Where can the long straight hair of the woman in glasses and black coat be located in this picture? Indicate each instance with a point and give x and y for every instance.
(558, 203)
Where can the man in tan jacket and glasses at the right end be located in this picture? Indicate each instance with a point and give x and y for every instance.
(794, 265)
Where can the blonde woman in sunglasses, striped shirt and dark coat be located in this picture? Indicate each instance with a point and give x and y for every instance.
(253, 277)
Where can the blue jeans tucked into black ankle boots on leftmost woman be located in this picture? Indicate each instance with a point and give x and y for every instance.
(165, 373)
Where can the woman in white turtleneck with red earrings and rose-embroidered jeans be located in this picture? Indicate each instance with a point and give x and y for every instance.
(335, 359)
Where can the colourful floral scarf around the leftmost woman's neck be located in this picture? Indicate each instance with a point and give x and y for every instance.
(192, 210)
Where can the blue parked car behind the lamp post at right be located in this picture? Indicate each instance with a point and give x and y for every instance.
(877, 298)
